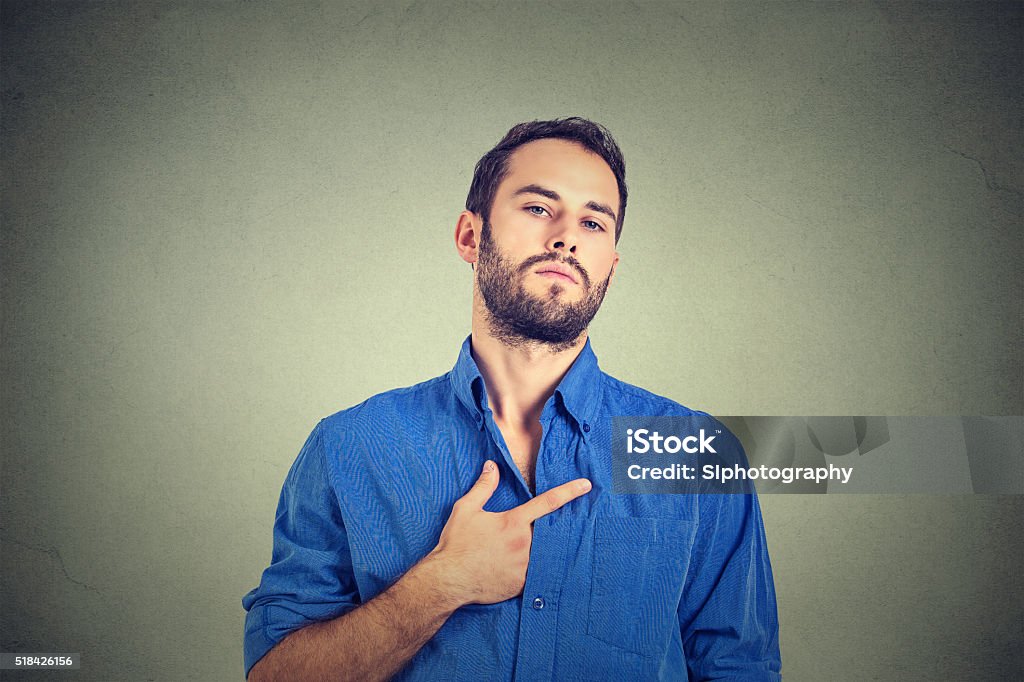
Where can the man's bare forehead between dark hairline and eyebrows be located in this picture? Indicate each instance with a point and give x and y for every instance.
(566, 167)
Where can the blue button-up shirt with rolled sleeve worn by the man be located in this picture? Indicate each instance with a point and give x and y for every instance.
(638, 587)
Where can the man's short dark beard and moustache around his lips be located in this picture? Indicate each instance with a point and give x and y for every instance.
(518, 318)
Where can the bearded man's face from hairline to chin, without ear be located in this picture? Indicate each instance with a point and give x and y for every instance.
(548, 252)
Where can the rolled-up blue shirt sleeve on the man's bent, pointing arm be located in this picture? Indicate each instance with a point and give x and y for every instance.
(311, 576)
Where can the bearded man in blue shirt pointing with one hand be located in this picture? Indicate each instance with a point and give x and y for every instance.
(466, 528)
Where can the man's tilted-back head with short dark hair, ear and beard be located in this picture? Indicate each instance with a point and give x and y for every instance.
(548, 212)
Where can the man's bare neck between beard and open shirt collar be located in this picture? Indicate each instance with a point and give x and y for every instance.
(520, 377)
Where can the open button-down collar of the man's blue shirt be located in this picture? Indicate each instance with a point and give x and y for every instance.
(580, 390)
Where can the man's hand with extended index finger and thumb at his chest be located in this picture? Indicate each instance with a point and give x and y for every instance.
(482, 557)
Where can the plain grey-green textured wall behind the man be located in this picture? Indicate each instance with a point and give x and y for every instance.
(225, 221)
